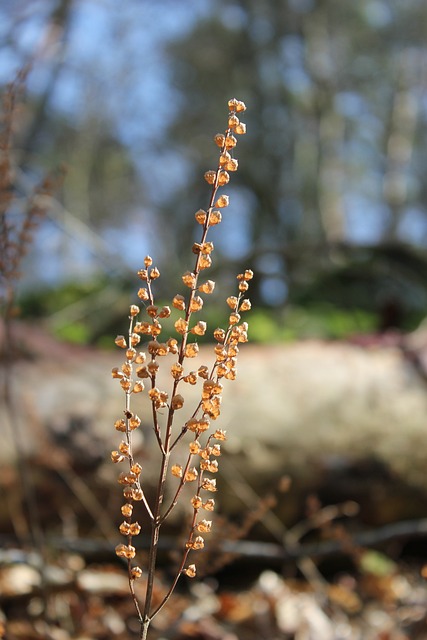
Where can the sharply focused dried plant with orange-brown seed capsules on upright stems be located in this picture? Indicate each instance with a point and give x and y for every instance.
(199, 462)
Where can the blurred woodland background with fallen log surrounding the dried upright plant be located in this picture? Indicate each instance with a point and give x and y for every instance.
(329, 209)
